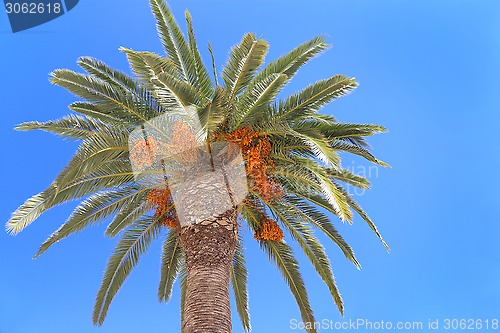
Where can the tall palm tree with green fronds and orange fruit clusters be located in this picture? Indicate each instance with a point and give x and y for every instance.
(291, 153)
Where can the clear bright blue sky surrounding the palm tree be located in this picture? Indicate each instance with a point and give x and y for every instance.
(428, 70)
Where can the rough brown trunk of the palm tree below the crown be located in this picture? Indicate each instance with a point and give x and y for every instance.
(209, 248)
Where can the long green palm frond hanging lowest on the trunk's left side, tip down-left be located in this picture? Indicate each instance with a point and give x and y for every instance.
(135, 241)
